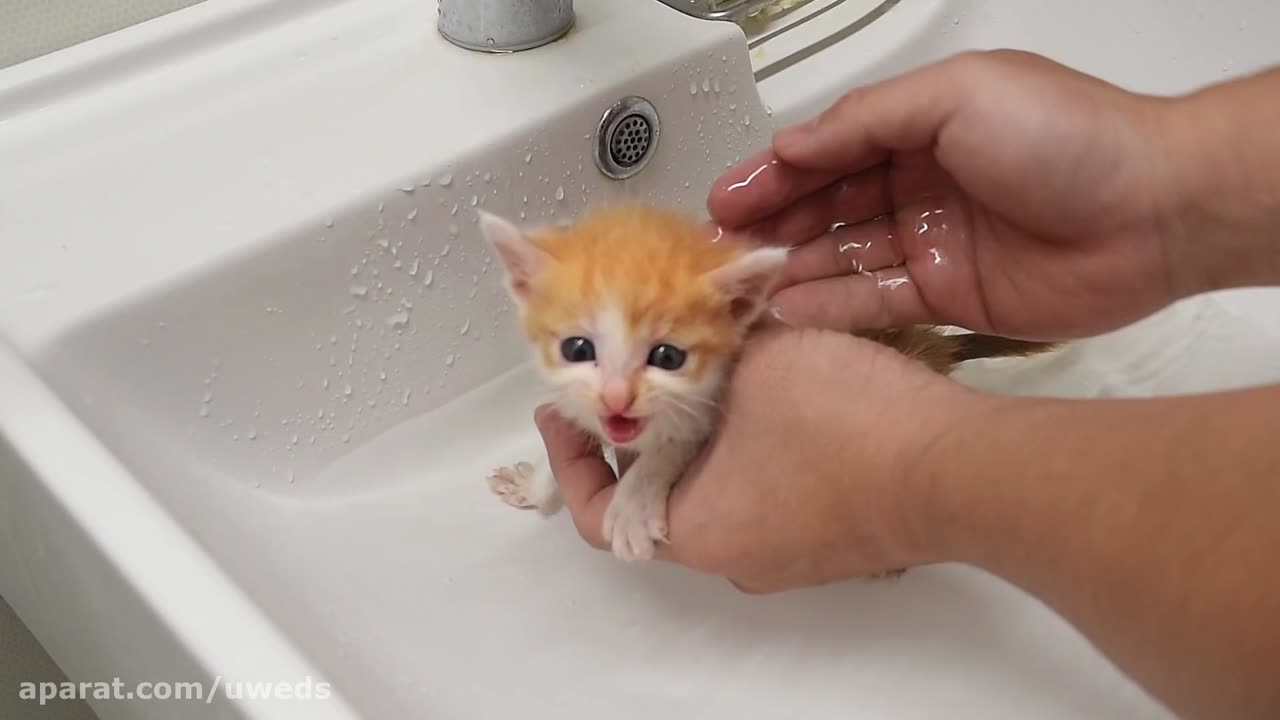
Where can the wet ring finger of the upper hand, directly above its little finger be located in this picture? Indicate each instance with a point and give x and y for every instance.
(845, 252)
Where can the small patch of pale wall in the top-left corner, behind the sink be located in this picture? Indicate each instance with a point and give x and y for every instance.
(30, 29)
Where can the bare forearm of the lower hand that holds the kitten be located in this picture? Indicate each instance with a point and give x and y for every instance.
(1153, 526)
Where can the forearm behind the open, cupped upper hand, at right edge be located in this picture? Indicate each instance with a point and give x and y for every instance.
(1224, 148)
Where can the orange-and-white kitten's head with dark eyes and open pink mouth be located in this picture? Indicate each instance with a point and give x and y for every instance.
(636, 316)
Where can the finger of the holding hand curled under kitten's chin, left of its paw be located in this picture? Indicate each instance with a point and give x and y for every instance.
(584, 477)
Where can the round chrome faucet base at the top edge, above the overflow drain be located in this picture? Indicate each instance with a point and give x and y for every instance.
(505, 26)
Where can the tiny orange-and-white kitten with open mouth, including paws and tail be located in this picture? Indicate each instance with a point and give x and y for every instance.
(636, 318)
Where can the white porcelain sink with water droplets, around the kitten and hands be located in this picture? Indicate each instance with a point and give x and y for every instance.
(257, 362)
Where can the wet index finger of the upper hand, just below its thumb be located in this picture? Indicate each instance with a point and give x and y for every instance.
(761, 186)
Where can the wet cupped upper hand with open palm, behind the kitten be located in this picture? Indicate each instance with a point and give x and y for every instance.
(996, 192)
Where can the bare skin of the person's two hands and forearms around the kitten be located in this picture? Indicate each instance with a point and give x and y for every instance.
(1071, 208)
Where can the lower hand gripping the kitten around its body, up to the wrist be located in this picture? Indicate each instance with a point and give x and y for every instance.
(810, 479)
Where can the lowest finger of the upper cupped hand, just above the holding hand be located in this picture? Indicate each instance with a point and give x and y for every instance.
(880, 300)
